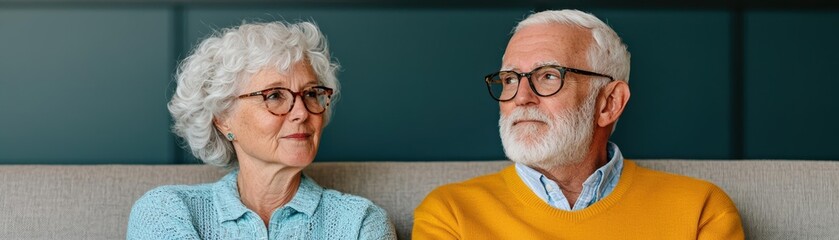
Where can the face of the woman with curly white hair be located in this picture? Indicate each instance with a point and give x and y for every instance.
(289, 139)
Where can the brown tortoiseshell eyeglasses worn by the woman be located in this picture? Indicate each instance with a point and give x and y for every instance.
(280, 100)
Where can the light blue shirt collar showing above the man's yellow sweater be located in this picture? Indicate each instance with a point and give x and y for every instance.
(596, 187)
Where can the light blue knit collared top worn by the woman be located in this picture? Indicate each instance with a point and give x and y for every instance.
(215, 211)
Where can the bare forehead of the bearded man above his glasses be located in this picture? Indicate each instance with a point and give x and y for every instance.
(548, 44)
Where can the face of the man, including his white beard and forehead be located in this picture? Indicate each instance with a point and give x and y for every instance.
(547, 131)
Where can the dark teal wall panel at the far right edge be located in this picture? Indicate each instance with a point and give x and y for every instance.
(791, 100)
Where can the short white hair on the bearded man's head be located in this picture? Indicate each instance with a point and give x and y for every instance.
(607, 55)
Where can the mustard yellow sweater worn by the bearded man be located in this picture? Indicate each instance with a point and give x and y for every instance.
(646, 204)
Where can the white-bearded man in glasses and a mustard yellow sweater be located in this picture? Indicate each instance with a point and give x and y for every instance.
(561, 89)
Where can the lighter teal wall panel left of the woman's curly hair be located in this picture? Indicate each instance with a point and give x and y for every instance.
(85, 85)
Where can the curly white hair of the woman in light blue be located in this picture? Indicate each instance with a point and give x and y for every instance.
(211, 77)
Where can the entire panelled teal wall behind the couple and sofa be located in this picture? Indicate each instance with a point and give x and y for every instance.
(89, 83)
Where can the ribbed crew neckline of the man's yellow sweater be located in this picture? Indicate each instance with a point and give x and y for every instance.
(530, 200)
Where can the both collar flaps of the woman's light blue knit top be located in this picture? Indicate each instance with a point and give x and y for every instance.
(229, 204)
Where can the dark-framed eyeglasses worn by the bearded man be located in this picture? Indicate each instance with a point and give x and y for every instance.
(545, 81)
